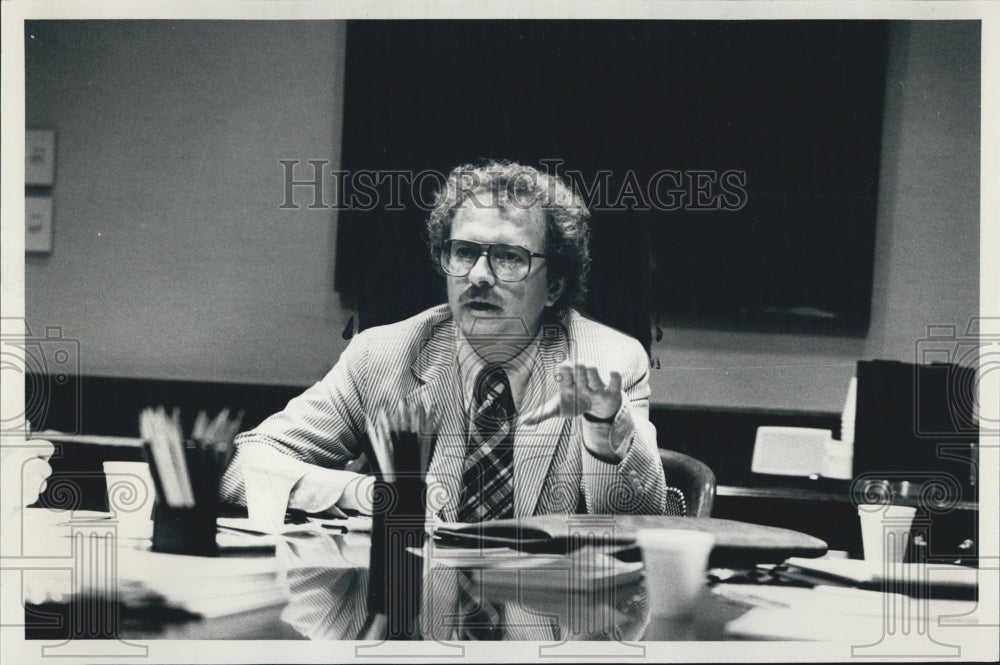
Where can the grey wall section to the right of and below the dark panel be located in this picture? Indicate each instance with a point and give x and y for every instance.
(926, 248)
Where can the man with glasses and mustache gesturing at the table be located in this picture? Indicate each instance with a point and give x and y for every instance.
(492, 364)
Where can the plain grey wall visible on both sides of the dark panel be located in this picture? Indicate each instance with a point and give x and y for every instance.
(172, 259)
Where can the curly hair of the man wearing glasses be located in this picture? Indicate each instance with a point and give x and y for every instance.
(513, 185)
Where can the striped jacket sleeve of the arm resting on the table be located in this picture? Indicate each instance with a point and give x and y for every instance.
(324, 426)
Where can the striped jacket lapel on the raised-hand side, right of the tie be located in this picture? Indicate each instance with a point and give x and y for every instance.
(536, 446)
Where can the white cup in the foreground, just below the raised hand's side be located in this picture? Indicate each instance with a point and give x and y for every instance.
(675, 560)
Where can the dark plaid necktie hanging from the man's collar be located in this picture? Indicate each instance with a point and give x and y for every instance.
(488, 478)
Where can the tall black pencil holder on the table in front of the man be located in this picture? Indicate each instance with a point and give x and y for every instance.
(396, 573)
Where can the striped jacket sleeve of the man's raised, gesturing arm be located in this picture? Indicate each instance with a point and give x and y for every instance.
(634, 485)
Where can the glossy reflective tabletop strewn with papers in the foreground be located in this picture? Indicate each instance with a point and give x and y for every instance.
(312, 582)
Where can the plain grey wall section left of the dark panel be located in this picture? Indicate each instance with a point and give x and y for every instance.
(171, 257)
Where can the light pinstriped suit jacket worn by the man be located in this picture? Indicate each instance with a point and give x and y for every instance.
(414, 360)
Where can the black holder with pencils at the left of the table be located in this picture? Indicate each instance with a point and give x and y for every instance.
(187, 530)
